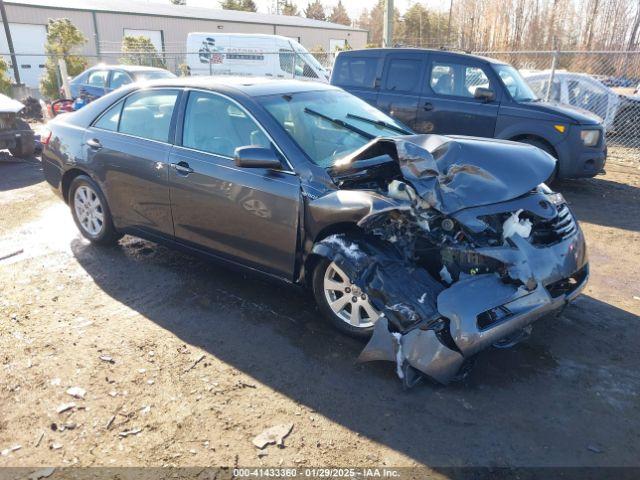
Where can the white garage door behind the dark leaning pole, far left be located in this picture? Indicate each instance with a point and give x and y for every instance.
(27, 38)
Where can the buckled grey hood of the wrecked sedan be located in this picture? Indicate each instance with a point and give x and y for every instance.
(453, 173)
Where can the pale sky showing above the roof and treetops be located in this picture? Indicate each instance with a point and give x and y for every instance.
(354, 7)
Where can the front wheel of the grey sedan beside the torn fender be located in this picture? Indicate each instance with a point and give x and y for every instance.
(342, 303)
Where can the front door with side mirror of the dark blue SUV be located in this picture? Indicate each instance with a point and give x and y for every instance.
(448, 105)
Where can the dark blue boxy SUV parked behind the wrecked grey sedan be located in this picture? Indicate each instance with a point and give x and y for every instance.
(435, 91)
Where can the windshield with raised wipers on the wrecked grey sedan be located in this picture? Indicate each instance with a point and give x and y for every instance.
(330, 124)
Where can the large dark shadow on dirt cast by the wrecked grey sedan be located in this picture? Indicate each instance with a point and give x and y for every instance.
(571, 386)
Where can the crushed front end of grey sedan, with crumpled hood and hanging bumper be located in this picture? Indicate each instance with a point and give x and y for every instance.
(461, 246)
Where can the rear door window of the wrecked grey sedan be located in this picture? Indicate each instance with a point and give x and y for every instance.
(147, 114)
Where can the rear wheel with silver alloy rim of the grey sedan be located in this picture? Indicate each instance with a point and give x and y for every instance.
(91, 212)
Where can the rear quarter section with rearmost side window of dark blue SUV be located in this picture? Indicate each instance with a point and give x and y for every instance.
(359, 75)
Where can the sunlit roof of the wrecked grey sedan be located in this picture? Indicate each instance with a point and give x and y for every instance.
(252, 86)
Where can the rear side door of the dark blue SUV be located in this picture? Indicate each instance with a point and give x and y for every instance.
(401, 86)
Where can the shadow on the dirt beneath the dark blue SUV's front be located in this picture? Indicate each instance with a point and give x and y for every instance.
(602, 202)
